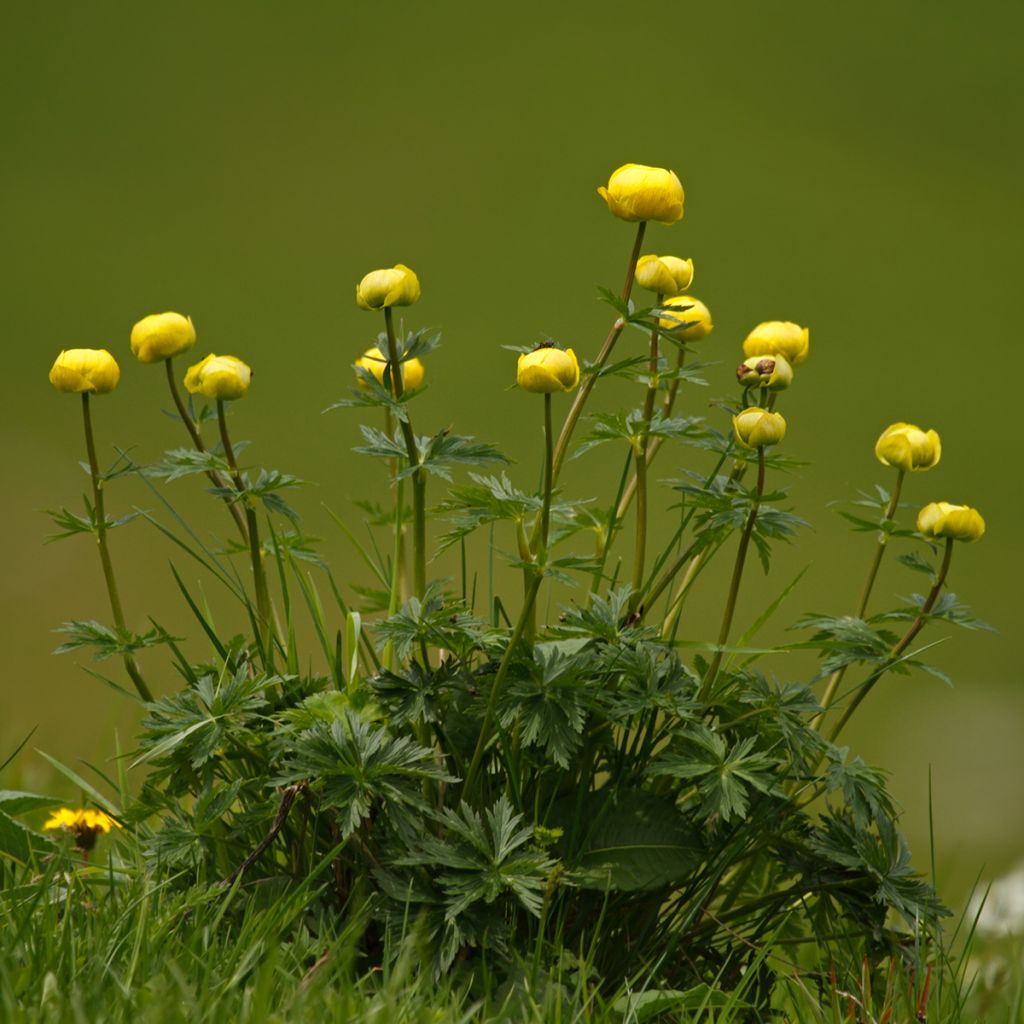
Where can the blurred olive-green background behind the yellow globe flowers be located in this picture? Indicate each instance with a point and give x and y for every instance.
(856, 168)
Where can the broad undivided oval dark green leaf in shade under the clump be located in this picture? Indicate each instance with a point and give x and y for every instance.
(624, 840)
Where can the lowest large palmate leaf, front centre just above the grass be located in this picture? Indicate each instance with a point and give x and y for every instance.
(479, 859)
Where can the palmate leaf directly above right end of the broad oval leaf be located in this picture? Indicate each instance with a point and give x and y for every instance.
(724, 777)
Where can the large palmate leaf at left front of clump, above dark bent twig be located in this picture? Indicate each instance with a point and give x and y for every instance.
(354, 765)
